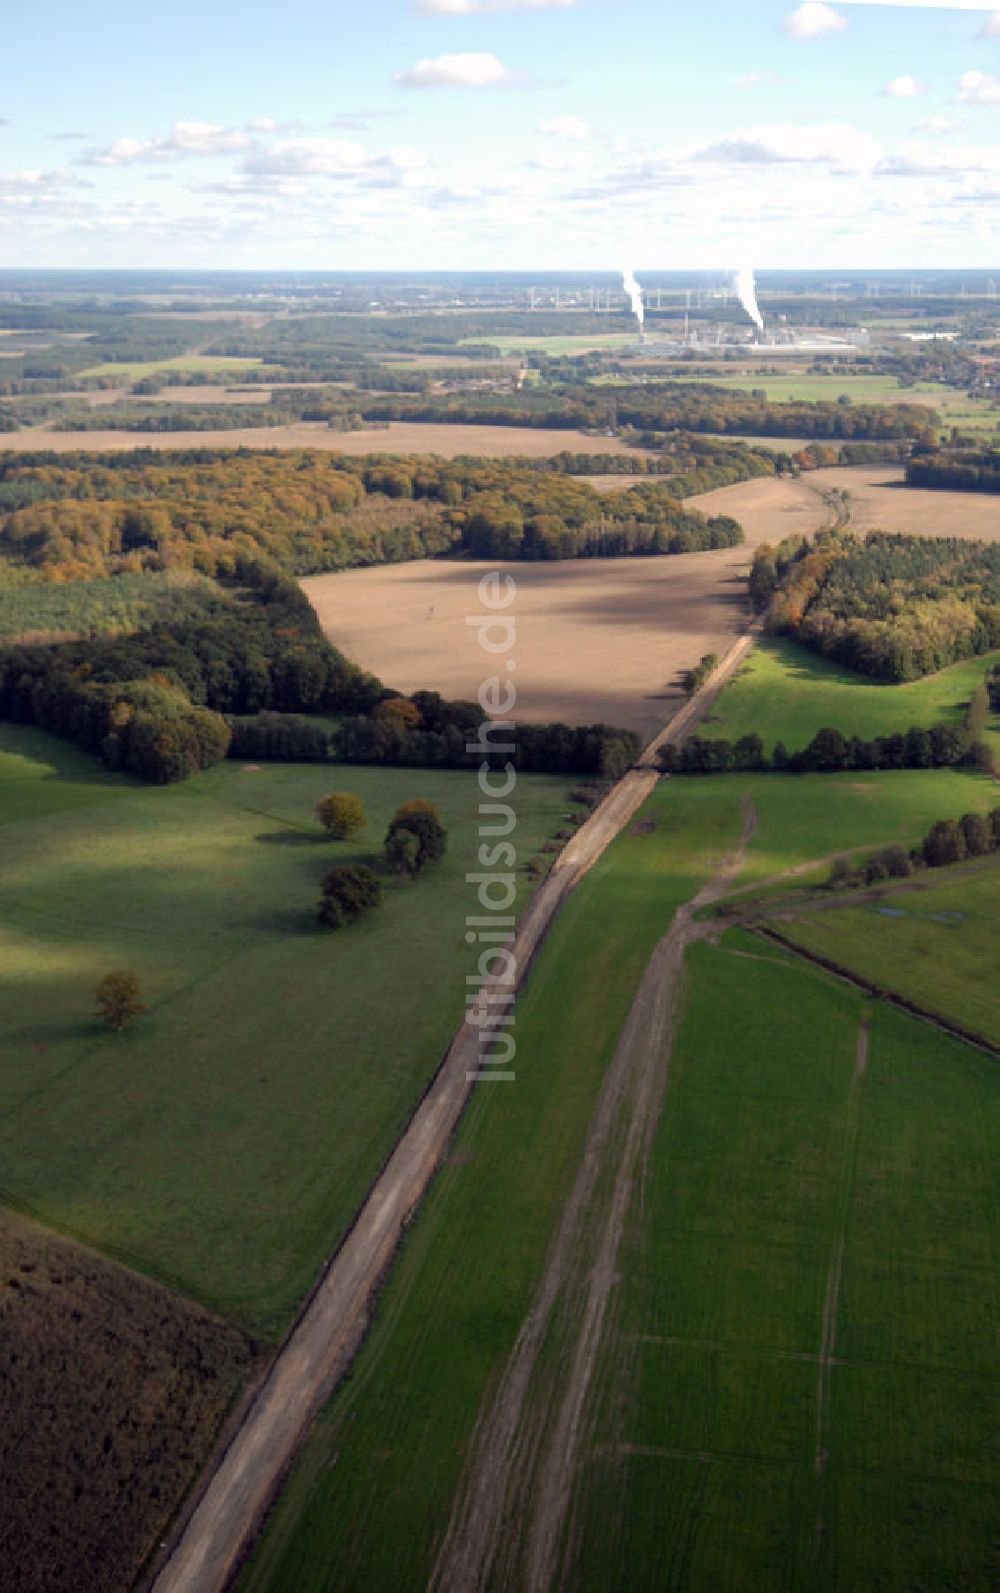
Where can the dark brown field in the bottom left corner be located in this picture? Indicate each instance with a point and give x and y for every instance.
(112, 1391)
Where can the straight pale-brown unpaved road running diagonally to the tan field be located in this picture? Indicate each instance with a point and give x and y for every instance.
(216, 1535)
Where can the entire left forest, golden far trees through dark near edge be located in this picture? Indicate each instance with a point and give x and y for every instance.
(217, 648)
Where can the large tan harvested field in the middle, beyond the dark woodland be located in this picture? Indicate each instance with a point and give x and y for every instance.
(598, 640)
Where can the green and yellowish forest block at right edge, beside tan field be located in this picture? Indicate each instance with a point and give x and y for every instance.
(894, 608)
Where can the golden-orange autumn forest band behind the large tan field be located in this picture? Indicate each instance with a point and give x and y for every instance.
(84, 517)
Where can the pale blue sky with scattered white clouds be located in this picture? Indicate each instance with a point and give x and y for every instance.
(501, 135)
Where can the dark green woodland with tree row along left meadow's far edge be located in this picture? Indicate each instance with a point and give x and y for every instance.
(235, 671)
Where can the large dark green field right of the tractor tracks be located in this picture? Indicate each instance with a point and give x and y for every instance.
(800, 1388)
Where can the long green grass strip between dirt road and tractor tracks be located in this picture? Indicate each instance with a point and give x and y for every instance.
(372, 1495)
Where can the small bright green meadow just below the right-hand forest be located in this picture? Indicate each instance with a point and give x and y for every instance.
(786, 694)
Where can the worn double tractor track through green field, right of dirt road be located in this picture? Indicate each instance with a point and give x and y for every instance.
(528, 1441)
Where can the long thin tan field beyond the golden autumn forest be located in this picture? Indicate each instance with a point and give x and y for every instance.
(399, 437)
